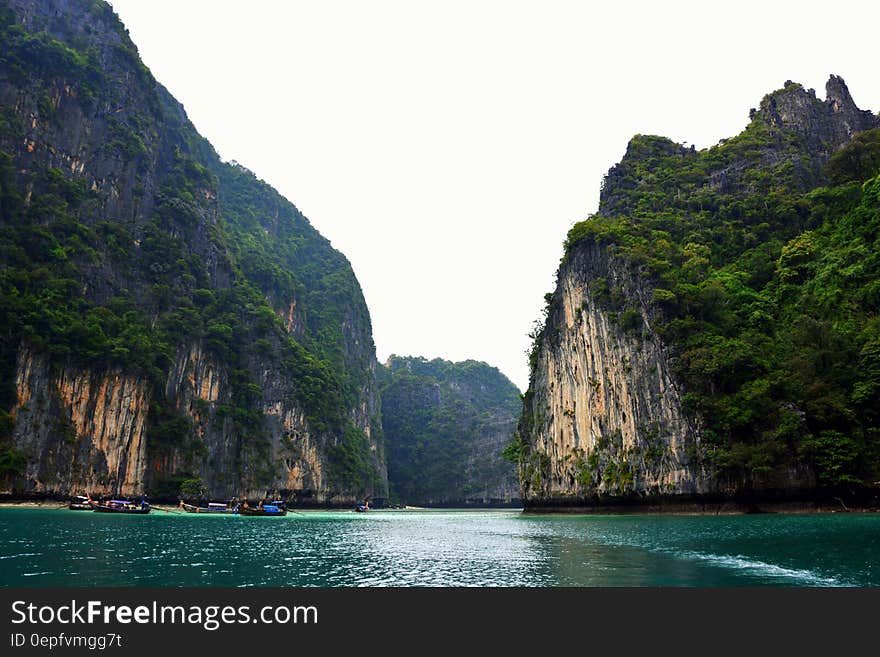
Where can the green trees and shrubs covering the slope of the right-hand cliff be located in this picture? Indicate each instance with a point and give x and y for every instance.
(763, 256)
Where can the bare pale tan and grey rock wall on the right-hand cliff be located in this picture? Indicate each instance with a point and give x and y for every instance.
(603, 414)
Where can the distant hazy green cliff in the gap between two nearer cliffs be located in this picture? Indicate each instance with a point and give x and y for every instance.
(446, 425)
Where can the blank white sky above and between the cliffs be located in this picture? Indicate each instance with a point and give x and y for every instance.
(446, 147)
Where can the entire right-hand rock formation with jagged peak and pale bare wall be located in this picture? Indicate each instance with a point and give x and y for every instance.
(678, 360)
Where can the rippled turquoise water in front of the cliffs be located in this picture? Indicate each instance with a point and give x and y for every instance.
(58, 547)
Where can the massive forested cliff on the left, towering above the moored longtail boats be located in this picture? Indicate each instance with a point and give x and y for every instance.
(168, 320)
